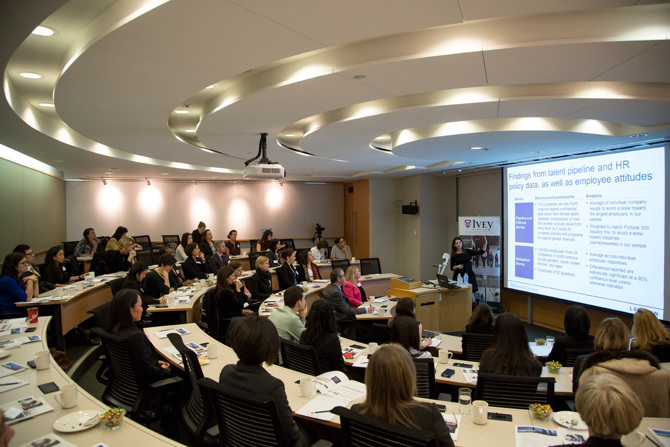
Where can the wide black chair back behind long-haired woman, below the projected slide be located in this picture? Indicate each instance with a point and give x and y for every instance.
(514, 391)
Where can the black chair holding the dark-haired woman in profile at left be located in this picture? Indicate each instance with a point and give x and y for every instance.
(128, 387)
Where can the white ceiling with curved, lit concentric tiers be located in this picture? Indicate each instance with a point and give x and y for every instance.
(440, 76)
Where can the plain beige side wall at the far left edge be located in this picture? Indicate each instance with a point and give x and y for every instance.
(33, 206)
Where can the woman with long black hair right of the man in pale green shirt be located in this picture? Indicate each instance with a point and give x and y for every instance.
(321, 332)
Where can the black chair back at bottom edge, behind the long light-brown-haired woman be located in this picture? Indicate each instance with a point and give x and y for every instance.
(362, 430)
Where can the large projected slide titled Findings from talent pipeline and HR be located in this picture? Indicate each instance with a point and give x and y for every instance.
(589, 230)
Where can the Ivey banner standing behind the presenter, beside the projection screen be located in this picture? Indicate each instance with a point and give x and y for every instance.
(475, 232)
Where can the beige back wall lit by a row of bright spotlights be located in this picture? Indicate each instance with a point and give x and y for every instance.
(291, 210)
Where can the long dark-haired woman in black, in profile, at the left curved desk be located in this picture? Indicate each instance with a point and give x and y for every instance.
(124, 312)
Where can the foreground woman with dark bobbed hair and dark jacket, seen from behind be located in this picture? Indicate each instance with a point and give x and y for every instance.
(255, 341)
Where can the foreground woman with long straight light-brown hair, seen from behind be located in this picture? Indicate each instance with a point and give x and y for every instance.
(396, 404)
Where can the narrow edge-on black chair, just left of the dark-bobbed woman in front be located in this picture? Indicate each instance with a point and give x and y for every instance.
(196, 416)
